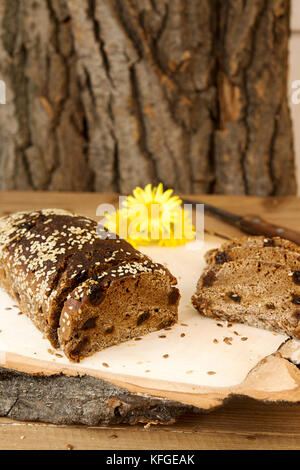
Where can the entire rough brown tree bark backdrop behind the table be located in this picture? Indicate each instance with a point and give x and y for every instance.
(105, 95)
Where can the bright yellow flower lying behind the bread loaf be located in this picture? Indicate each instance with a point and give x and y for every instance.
(152, 215)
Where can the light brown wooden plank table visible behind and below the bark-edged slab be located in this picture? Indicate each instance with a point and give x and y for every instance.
(240, 424)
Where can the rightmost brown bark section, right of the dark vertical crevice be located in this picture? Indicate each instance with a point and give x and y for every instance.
(254, 145)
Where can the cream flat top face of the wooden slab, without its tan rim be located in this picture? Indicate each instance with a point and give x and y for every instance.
(193, 353)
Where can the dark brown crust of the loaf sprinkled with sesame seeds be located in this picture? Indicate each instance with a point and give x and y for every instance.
(45, 255)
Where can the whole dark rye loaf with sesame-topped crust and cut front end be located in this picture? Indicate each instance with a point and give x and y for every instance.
(83, 291)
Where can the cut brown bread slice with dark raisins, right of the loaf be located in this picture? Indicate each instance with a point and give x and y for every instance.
(253, 280)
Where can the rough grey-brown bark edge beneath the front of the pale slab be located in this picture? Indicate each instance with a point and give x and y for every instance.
(59, 399)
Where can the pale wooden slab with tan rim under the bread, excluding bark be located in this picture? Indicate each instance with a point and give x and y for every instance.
(197, 362)
